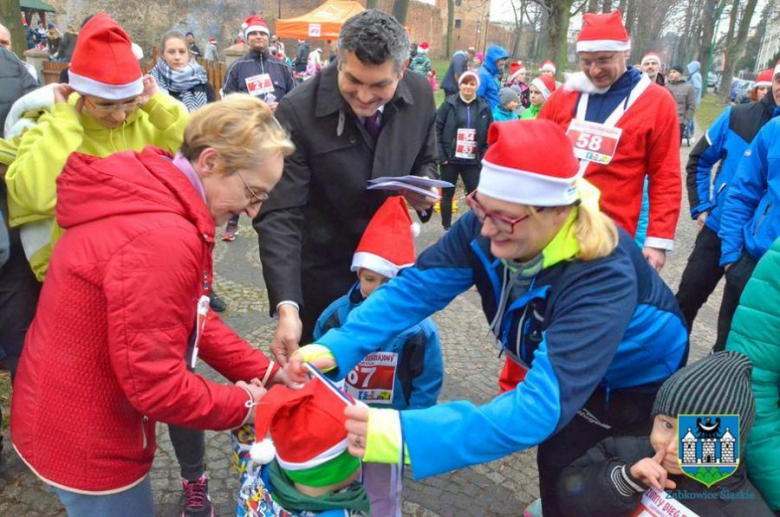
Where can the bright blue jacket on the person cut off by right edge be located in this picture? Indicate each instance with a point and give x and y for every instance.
(752, 202)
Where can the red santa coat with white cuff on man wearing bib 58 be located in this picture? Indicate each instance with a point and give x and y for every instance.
(649, 146)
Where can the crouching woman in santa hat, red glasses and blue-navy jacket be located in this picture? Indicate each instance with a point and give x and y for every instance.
(568, 297)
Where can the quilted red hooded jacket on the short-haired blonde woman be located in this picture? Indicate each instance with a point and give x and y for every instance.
(104, 357)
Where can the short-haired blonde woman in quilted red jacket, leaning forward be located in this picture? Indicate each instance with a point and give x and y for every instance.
(124, 309)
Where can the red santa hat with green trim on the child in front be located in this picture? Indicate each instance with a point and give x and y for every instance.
(304, 430)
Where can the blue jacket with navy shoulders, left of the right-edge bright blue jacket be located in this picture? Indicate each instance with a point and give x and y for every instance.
(725, 141)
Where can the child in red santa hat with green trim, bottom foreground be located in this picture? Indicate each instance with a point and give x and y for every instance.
(297, 463)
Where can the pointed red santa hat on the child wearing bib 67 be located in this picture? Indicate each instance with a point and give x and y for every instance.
(387, 246)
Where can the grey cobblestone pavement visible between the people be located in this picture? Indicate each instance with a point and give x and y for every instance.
(500, 488)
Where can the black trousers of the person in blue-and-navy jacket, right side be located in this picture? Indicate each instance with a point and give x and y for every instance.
(701, 275)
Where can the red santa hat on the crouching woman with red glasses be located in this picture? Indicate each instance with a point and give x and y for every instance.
(546, 179)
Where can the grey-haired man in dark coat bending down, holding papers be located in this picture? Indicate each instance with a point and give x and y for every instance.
(360, 118)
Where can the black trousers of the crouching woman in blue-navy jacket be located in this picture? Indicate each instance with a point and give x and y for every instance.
(623, 413)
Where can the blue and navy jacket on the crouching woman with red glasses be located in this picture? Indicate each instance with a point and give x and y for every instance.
(607, 324)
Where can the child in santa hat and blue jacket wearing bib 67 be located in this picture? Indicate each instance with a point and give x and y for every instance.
(407, 372)
